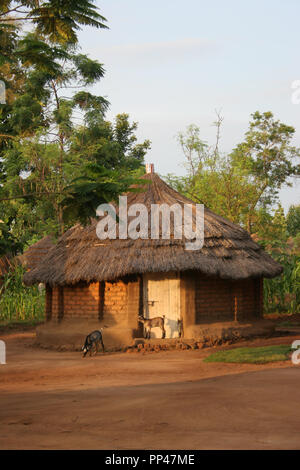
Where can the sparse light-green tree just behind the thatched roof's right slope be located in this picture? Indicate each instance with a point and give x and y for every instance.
(211, 178)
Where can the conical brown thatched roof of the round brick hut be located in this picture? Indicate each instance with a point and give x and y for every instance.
(228, 251)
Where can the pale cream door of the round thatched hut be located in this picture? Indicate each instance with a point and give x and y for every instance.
(161, 296)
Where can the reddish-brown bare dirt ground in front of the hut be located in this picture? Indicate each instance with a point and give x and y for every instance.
(163, 400)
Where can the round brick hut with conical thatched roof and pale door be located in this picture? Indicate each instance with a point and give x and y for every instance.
(211, 294)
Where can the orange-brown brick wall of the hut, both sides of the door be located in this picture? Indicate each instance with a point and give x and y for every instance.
(118, 302)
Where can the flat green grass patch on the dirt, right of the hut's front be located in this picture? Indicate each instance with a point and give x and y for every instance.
(258, 355)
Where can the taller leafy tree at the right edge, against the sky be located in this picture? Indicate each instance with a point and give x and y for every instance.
(267, 158)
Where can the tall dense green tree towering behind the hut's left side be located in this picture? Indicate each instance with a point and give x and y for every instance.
(56, 149)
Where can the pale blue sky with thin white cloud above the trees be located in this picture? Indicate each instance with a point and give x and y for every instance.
(170, 64)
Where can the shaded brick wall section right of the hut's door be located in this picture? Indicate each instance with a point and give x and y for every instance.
(225, 300)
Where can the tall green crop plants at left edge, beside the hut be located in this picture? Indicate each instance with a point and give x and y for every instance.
(20, 303)
